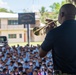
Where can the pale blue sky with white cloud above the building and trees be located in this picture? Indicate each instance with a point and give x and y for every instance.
(28, 5)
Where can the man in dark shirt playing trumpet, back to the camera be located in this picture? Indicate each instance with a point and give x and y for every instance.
(62, 41)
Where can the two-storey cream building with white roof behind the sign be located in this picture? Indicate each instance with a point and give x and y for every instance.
(17, 33)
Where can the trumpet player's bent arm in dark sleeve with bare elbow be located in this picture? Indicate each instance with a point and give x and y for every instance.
(47, 45)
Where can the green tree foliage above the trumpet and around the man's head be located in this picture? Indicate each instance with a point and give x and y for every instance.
(54, 8)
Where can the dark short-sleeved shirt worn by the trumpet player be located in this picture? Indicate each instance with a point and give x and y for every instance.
(62, 42)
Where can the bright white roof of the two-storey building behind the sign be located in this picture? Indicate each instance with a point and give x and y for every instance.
(12, 15)
